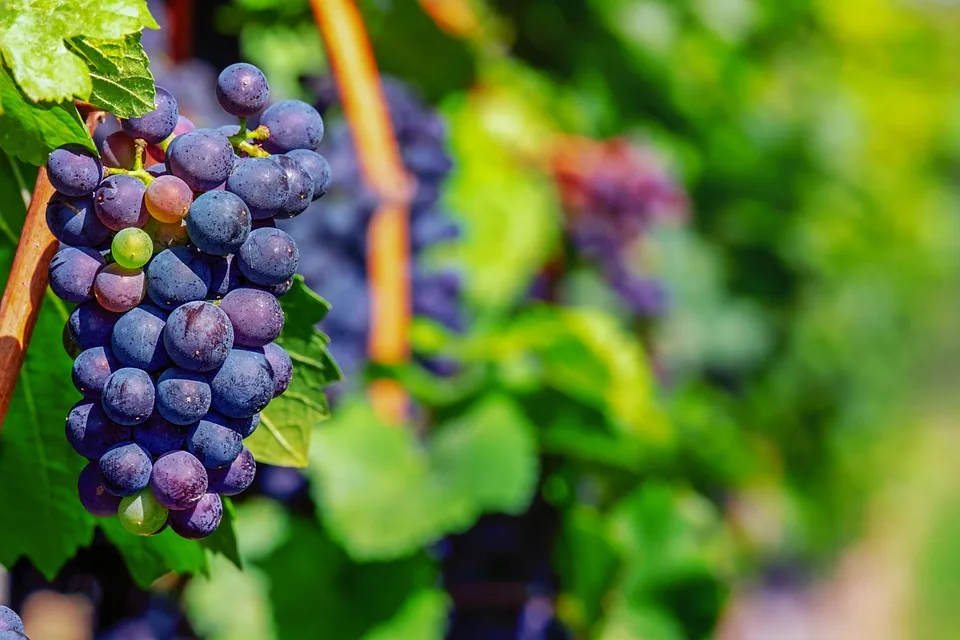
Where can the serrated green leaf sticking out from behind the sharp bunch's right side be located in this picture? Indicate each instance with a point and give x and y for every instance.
(283, 437)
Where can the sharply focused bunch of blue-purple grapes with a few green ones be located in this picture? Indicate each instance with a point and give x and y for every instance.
(175, 269)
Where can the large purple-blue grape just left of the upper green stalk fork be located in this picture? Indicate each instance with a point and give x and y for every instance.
(202, 158)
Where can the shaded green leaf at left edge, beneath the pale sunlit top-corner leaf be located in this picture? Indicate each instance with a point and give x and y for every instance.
(31, 131)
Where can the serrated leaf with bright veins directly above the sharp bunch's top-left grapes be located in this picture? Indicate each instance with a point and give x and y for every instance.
(119, 69)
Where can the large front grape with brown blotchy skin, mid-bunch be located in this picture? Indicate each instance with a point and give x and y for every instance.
(198, 336)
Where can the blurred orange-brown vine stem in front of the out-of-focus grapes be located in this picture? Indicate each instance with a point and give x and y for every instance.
(388, 260)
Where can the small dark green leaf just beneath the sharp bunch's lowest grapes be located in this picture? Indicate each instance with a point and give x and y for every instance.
(148, 558)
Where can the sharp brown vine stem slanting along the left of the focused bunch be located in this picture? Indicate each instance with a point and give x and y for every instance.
(27, 283)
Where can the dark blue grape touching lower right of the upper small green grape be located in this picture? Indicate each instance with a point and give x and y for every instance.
(176, 276)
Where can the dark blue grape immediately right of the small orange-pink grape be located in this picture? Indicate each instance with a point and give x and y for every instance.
(218, 222)
